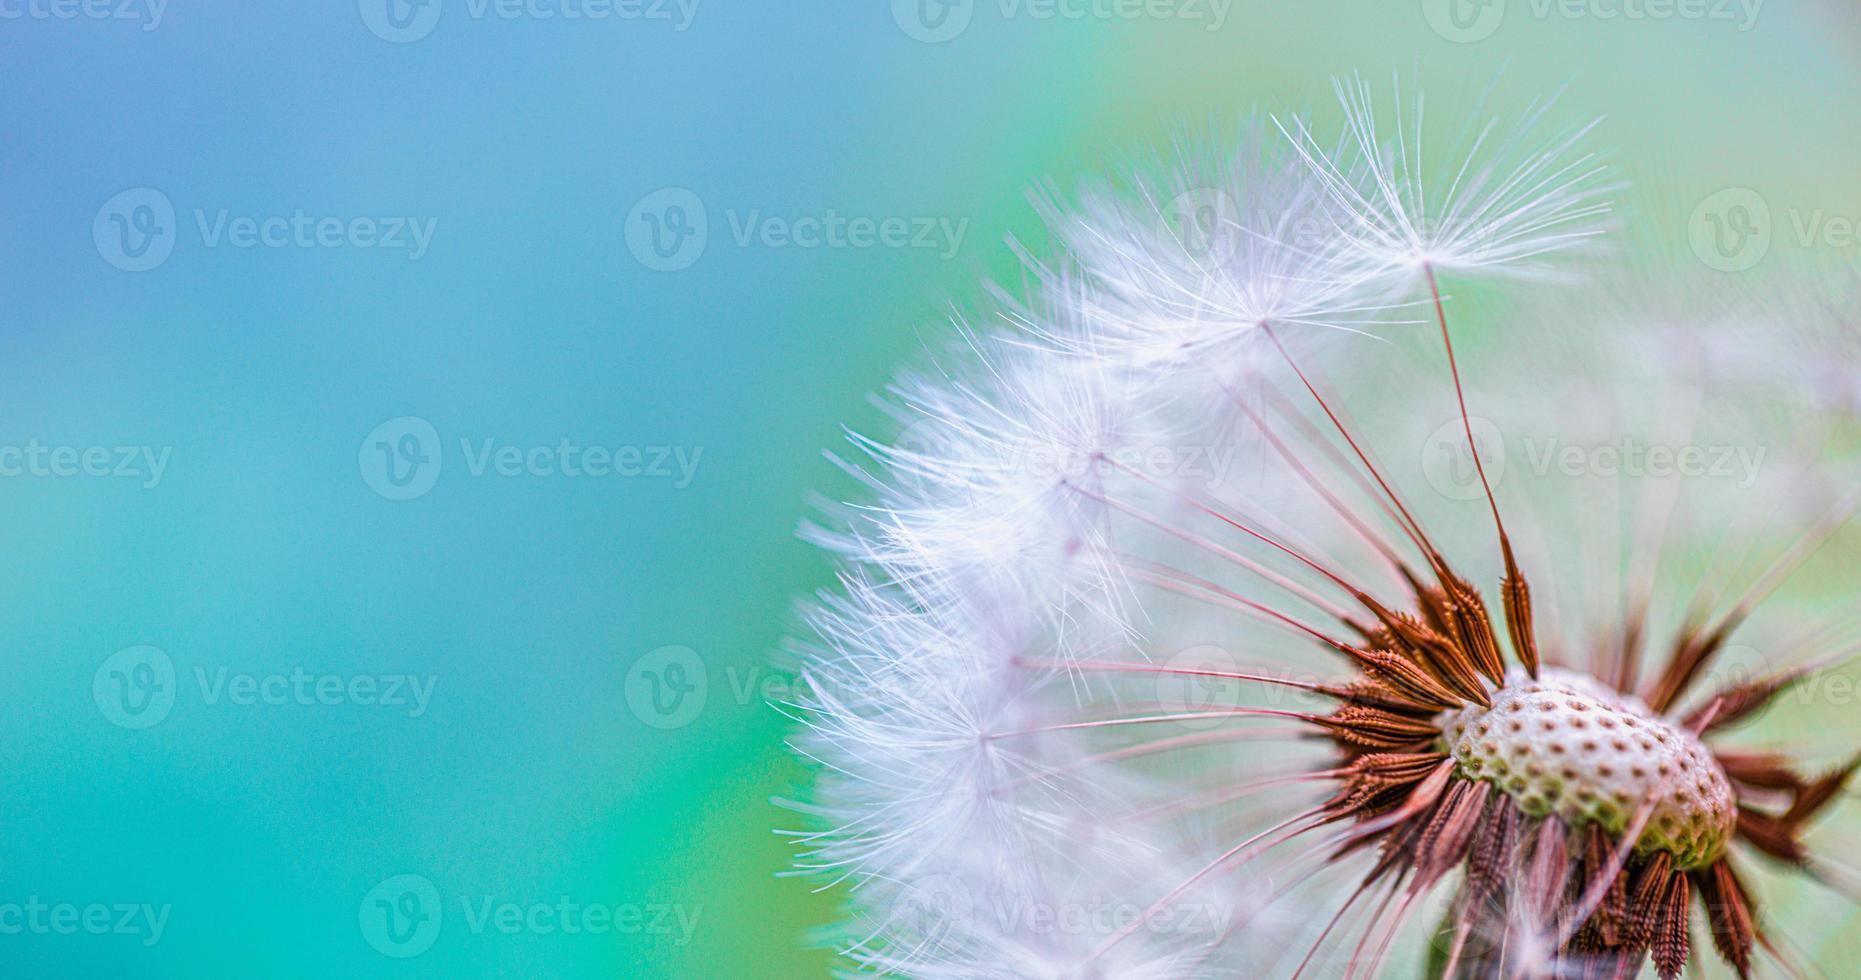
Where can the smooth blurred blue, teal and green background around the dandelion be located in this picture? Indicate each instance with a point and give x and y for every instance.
(572, 799)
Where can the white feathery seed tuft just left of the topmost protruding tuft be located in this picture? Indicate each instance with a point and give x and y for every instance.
(1198, 252)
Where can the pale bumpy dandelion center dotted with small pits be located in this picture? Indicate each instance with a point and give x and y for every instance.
(1568, 747)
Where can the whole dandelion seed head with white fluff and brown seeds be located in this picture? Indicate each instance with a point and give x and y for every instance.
(1121, 683)
